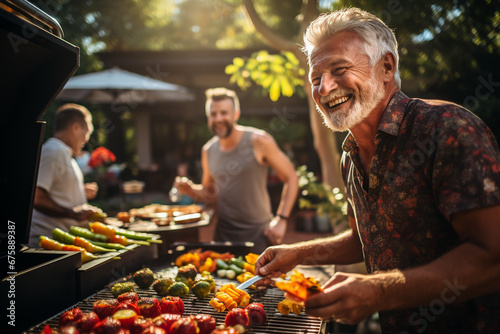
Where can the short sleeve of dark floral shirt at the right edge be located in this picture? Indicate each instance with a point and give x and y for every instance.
(466, 169)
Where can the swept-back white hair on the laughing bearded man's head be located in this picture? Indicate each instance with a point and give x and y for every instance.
(379, 38)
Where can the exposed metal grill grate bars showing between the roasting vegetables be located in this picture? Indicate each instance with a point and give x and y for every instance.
(276, 322)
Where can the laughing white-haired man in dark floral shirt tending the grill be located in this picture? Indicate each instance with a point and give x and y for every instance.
(423, 188)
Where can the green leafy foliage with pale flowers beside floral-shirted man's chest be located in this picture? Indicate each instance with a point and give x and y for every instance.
(320, 196)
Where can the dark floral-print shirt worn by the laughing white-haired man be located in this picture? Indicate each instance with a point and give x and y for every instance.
(432, 159)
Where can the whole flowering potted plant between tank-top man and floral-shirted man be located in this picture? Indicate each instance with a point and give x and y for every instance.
(326, 206)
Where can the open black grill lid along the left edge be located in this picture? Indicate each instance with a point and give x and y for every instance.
(35, 66)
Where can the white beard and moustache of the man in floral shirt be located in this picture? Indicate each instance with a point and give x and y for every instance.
(362, 105)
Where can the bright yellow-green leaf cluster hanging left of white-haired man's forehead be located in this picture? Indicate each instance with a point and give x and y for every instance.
(279, 74)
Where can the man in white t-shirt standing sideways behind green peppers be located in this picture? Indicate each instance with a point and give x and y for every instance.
(60, 188)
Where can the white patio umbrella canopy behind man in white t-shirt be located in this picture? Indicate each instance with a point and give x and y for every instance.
(120, 86)
